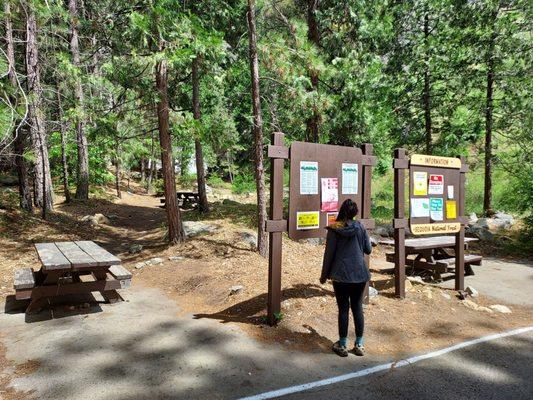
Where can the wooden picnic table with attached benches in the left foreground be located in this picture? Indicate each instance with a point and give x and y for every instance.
(68, 268)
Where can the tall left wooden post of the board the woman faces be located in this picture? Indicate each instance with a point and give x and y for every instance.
(276, 225)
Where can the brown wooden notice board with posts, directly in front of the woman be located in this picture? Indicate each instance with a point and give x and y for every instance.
(330, 159)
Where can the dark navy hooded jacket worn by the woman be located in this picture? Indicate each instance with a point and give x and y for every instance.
(344, 256)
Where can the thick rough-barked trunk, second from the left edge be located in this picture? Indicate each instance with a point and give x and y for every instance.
(43, 180)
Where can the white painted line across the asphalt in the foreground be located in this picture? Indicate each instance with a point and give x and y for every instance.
(383, 367)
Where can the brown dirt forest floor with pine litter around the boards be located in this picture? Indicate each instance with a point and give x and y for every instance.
(202, 271)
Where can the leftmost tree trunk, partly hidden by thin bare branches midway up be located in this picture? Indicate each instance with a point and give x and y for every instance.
(19, 139)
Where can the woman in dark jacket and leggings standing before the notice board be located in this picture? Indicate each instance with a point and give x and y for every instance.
(347, 242)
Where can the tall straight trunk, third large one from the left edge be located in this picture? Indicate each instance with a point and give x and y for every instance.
(82, 187)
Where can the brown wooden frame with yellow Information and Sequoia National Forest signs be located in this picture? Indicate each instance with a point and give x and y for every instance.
(454, 171)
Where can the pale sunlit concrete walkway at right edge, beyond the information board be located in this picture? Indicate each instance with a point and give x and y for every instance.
(505, 281)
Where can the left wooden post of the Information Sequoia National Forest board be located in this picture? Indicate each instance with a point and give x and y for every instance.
(400, 165)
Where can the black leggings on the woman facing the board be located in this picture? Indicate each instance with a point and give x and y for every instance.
(350, 294)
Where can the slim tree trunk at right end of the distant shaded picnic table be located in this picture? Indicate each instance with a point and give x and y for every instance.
(203, 206)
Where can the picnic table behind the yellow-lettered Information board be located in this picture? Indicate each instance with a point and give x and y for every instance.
(431, 253)
